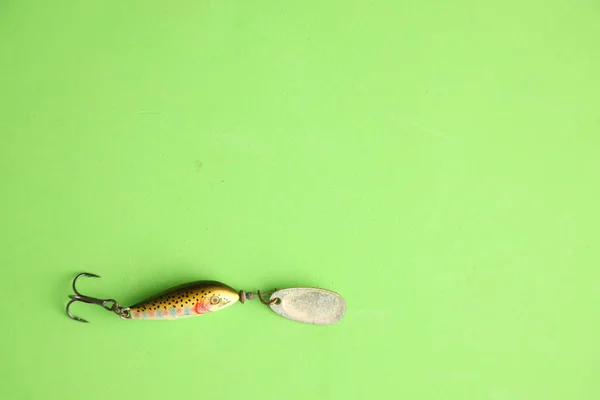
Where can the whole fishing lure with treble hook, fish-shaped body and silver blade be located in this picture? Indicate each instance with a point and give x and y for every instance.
(303, 304)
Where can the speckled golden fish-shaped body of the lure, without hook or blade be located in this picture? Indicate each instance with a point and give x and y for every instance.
(188, 300)
